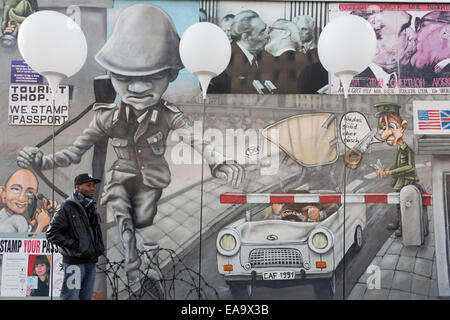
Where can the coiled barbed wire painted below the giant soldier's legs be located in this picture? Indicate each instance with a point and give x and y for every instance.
(154, 283)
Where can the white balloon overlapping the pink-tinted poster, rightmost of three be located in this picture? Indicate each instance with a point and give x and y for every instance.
(346, 47)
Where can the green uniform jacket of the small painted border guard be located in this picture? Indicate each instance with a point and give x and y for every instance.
(404, 171)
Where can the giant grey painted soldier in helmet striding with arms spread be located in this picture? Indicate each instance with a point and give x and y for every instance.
(142, 55)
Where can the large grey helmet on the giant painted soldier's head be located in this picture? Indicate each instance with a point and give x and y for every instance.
(144, 41)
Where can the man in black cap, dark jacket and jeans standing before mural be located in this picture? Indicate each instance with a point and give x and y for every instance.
(75, 229)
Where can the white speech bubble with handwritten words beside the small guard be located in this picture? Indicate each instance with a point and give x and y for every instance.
(354, 127)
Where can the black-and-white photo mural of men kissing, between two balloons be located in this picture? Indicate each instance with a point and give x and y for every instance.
(274, 47)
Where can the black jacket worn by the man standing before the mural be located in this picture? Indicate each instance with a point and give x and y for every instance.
(75, 229)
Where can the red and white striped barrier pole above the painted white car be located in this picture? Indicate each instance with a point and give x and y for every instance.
(368, 197)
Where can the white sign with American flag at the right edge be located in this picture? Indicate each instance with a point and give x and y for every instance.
(431, 117)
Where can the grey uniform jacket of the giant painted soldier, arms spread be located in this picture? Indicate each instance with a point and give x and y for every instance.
(139, 144)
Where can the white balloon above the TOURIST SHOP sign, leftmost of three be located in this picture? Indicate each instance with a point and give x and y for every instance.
(53, 45)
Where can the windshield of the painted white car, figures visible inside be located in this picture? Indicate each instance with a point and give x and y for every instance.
(296, 213)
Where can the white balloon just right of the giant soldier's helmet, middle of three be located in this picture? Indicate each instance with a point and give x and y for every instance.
(205, 51)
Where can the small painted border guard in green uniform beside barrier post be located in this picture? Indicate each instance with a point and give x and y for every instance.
(403, 172)
